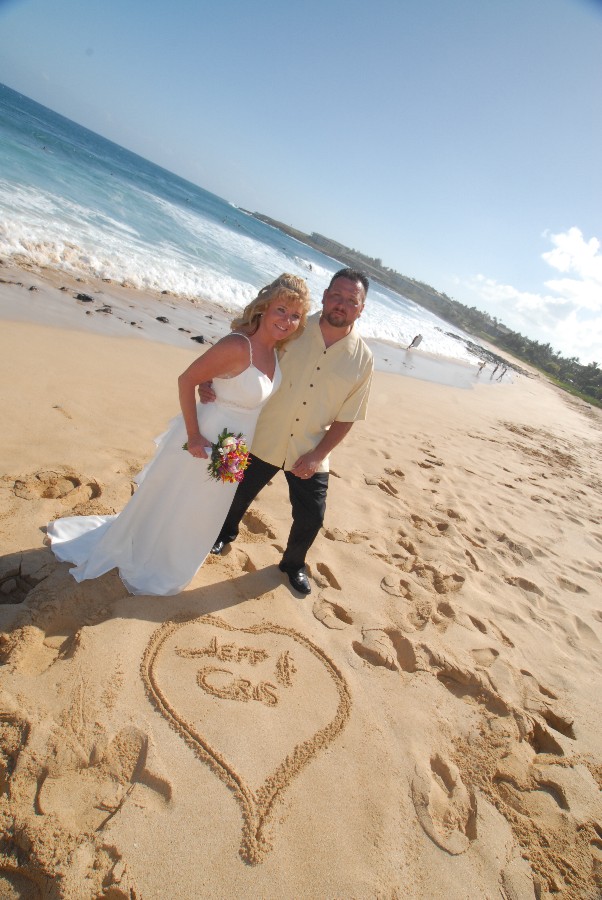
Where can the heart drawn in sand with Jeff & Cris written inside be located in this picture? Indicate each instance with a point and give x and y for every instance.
(256, 704)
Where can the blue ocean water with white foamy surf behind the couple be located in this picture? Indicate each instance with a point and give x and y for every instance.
(74, 201)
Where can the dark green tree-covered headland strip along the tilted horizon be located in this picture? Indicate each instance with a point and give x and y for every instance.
(584, 381)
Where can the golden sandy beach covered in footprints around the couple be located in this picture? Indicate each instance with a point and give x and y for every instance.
(424, 725)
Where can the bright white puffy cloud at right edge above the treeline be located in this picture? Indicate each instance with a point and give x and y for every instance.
(568, 313)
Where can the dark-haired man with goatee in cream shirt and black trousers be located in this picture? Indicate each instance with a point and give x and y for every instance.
(326, 377)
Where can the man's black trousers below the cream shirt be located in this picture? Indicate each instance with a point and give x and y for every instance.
(308, 501)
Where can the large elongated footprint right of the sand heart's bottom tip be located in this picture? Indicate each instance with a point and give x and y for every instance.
(446, 808)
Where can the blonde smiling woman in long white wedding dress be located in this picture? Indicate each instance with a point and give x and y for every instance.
(161, 538)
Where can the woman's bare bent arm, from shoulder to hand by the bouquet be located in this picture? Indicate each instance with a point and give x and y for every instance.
(230, 356)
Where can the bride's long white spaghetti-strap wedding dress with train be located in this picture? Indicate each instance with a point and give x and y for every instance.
(163, 535)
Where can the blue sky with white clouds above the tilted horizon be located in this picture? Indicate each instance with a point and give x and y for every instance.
(460, 142)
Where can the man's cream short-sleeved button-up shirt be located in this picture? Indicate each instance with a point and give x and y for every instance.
(319, 386)
